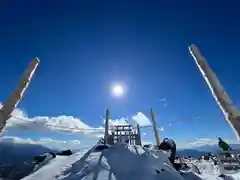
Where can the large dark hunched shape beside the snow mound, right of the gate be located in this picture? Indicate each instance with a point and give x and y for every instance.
(169, 145)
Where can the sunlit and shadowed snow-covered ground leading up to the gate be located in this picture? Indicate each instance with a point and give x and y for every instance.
(122, 162)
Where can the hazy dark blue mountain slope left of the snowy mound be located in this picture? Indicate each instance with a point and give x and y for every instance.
(16, 159)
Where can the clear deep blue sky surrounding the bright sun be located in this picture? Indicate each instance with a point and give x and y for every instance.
(84, 46)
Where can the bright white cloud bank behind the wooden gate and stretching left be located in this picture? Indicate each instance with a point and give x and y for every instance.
(70, 124)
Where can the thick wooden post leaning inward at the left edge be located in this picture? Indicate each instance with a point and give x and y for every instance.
(12, 101)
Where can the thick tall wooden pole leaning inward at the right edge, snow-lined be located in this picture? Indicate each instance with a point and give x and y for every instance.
(231, 113)
